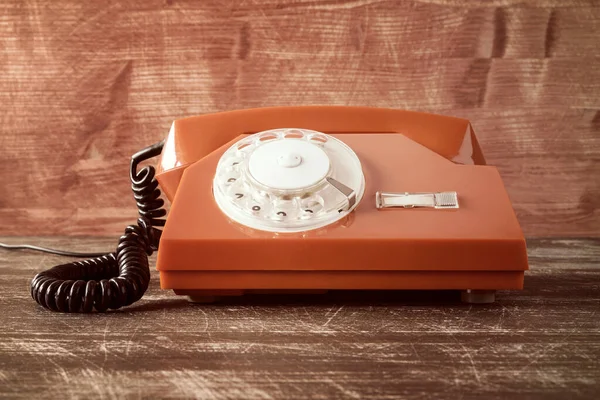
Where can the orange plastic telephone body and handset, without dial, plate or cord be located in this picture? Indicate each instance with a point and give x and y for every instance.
(478, 246)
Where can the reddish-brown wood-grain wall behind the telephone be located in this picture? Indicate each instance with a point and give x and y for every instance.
(83, 85)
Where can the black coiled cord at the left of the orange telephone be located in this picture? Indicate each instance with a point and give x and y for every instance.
(116, 279)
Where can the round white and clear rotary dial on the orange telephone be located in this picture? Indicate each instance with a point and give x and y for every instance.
(280, 180)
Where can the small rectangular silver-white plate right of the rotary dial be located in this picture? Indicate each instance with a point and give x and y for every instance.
(439, 200)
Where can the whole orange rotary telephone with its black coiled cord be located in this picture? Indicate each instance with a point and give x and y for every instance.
(311, 199)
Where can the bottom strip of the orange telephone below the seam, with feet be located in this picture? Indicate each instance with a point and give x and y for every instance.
(210, 286)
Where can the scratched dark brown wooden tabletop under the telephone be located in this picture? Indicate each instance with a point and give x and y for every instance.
(543, 342)
